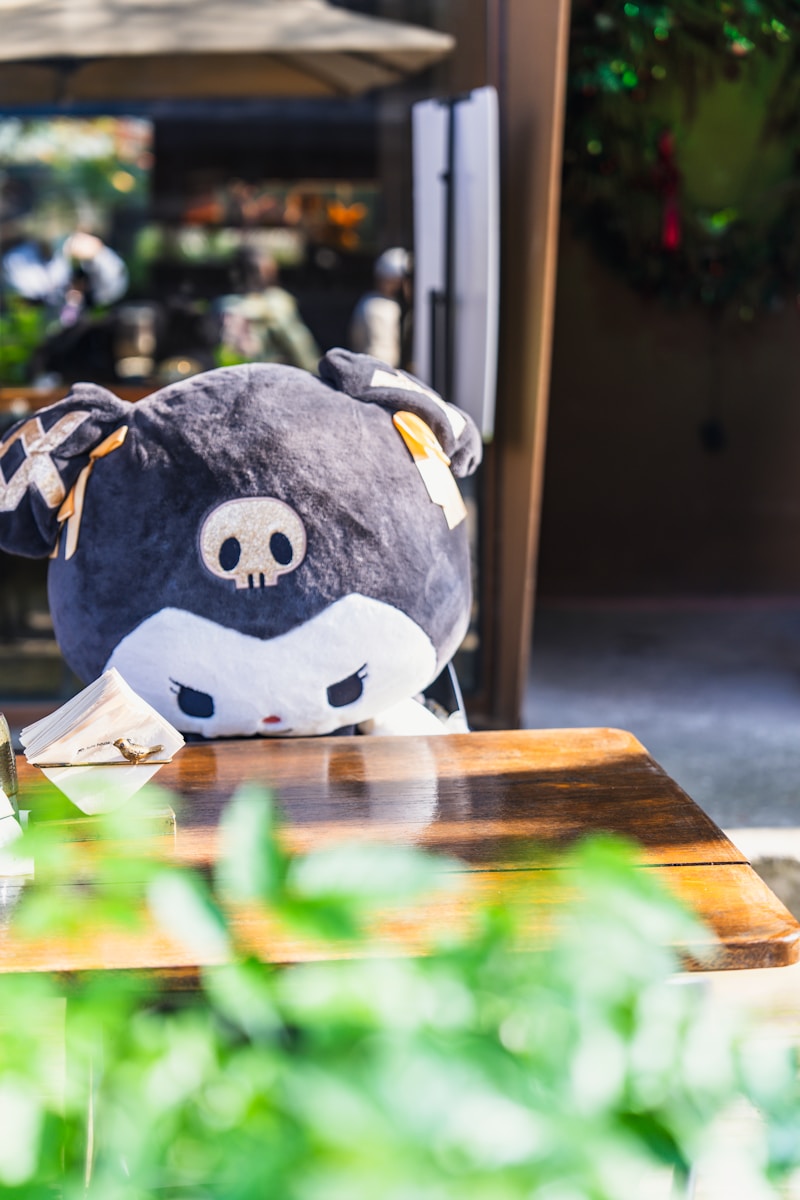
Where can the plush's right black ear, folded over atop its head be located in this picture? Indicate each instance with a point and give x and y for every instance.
(372, 381)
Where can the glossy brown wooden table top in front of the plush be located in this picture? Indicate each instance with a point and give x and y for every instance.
(501, 802)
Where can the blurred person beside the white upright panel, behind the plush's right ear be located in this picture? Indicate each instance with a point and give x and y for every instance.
(381, 322)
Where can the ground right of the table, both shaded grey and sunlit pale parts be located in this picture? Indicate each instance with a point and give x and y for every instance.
(713, 691)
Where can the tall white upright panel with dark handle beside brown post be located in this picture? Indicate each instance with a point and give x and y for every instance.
(456, 250)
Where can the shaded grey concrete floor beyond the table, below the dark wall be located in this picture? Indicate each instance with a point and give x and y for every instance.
(713, 691)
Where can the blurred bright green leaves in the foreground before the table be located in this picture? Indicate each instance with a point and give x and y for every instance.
(480, 1070)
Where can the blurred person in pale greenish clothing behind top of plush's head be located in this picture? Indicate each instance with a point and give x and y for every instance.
(260, 322)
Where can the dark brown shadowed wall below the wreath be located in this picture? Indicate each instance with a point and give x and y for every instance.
(633, 502)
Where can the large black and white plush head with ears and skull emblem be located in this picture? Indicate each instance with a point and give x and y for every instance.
(258, 551)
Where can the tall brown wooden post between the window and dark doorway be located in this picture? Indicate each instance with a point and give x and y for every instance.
(533, 44)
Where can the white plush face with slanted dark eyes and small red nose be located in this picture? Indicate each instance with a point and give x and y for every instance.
(350, 663)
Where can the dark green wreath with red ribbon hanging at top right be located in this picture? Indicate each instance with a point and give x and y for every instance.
(682, 159)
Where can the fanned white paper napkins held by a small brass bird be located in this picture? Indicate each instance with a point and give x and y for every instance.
(103, 746)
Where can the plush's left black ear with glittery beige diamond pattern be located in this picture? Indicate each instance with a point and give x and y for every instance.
(41, 459)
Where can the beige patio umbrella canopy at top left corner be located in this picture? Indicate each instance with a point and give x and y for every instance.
(88, 51)
